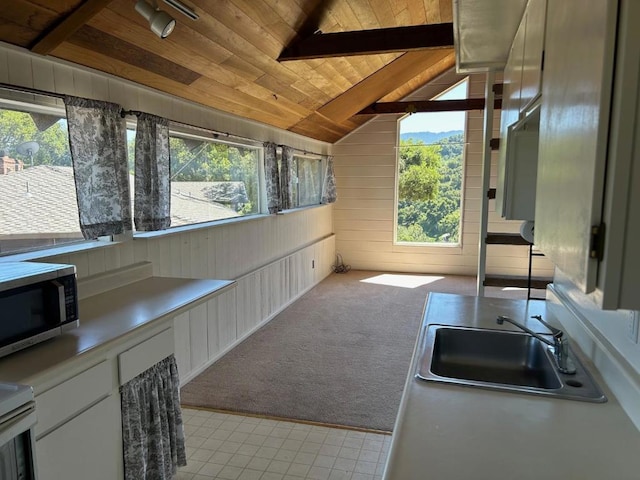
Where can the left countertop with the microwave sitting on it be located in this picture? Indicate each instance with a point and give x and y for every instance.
(107, 317)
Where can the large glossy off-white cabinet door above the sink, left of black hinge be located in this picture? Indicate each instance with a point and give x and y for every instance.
(574, 125)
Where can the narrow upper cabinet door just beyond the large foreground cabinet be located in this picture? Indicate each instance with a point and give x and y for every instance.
(533, 52)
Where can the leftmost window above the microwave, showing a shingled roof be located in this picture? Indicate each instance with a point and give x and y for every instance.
(39, 207)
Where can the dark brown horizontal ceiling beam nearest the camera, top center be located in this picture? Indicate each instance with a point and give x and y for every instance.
(365, 42)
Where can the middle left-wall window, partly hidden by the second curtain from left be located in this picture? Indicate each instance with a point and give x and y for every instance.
(210, 179)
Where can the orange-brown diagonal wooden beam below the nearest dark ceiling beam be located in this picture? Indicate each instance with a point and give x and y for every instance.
(385, 80)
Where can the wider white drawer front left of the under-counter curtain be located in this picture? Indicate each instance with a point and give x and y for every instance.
(57, 405)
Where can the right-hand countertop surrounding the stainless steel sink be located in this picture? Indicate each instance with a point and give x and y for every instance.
(455, 432)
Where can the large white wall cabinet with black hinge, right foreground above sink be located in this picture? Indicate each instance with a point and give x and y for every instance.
(588, 153)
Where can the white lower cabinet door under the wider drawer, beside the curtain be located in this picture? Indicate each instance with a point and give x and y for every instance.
(89, 446)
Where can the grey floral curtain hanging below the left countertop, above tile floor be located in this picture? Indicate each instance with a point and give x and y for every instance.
(152, 429)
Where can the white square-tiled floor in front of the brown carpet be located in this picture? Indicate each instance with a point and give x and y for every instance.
(234, 447)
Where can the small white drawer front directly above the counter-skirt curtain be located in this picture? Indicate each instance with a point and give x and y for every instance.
(145, 355)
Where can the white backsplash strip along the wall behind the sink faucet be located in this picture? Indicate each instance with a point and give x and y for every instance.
(616, 372)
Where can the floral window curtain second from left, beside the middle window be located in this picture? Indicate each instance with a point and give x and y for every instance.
(152, 191)
